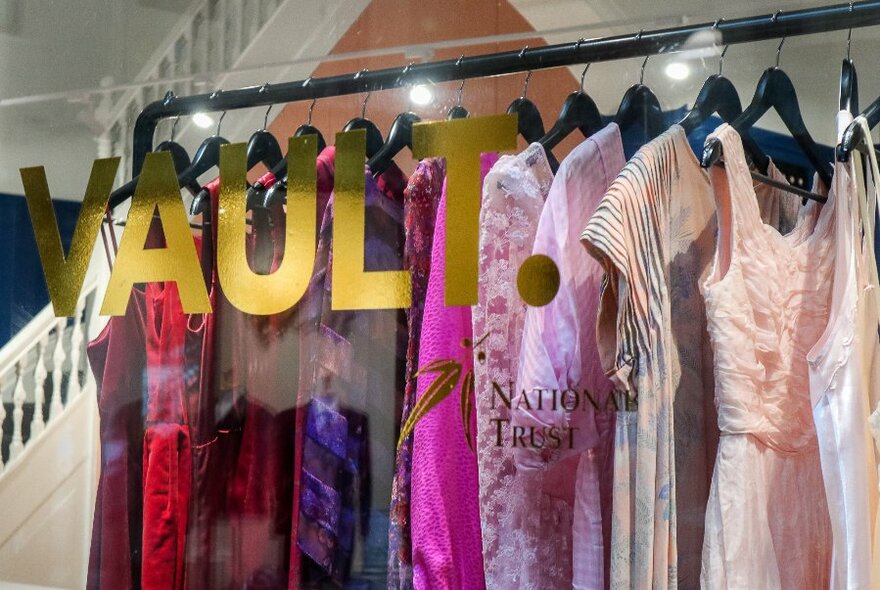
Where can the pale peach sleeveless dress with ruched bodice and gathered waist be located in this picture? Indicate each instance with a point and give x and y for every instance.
(767, 301)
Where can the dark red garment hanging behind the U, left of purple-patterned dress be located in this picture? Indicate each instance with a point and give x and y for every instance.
(260, 494)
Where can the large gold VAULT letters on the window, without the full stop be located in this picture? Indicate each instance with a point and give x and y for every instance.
(460, 141)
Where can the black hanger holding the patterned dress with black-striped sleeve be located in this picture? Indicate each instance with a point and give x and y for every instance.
(718, 95)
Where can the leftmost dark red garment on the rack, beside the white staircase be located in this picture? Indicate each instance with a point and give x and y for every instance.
(117, 359)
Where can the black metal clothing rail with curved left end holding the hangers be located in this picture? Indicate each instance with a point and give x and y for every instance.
(644, 43)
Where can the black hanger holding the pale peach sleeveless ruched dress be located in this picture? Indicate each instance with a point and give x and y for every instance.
(775, 90)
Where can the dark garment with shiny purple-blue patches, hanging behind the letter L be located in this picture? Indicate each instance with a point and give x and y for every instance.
(343, 386)
